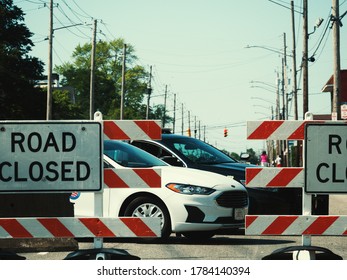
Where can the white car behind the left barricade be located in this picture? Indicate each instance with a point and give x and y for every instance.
(192, 202)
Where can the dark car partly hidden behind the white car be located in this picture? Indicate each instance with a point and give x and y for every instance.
(189, 152)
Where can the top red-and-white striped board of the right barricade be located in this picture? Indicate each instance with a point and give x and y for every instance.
(279, 129)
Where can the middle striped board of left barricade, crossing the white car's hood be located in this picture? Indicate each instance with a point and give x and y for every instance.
(132, 178)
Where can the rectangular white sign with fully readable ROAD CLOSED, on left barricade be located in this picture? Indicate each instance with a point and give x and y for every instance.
(50, 156)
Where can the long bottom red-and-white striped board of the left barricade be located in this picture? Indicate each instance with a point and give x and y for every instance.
(69, 227)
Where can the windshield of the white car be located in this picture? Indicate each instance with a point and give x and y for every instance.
(130, 156)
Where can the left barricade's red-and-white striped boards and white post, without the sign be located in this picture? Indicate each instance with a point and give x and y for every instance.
(99, 227)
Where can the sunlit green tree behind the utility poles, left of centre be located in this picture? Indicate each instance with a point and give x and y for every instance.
(108, 77)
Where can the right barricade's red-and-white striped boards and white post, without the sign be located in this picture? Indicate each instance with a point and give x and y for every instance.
(306, 224)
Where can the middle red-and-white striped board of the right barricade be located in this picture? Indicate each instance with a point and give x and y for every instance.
(275, 177)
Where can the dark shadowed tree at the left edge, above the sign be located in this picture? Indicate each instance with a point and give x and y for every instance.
(19, 98)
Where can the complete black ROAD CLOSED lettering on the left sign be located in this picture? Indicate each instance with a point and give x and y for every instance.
(35, 148)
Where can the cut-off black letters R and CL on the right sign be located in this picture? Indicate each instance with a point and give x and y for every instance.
(333, 172)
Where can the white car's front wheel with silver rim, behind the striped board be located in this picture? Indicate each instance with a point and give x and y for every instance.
(144, 207)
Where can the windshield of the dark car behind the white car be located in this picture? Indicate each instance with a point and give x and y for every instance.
(197, 151)
